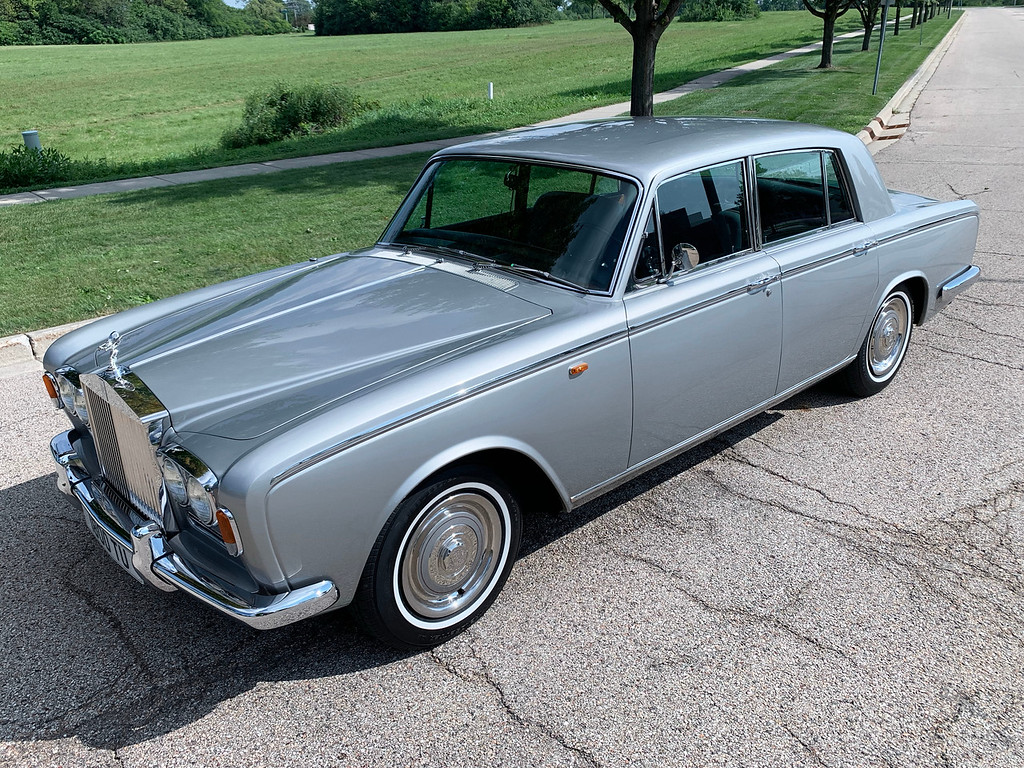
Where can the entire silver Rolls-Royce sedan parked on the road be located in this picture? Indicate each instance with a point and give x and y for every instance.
(549, 314)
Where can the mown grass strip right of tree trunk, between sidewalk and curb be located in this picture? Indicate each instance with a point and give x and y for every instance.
(840, 98)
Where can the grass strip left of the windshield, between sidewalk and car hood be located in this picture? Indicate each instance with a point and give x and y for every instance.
(74, 260)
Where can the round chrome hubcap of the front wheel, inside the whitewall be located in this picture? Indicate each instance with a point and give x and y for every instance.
(451, 556)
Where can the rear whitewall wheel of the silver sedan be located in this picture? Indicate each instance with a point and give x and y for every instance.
(882, 354)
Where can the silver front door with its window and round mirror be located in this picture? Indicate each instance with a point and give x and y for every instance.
(706, 344)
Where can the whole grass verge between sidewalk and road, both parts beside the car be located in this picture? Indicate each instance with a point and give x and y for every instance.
(76, 260)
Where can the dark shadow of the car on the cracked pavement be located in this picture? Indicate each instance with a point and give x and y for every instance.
(91, 654)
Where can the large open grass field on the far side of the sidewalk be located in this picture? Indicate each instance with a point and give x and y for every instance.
(148, 103)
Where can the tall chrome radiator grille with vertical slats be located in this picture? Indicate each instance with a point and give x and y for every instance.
(122, 443)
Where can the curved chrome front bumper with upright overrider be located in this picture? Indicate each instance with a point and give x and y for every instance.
(155, 564)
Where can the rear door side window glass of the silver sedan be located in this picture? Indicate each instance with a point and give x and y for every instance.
(800, 192)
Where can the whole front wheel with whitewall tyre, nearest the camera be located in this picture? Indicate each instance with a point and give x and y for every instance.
(441, 561)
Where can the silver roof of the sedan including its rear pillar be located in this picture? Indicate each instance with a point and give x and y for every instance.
(652, 148)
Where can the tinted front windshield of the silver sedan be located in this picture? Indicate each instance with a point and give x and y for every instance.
(561, 224)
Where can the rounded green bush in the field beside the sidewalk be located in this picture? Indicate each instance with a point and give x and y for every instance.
(285, 111)
